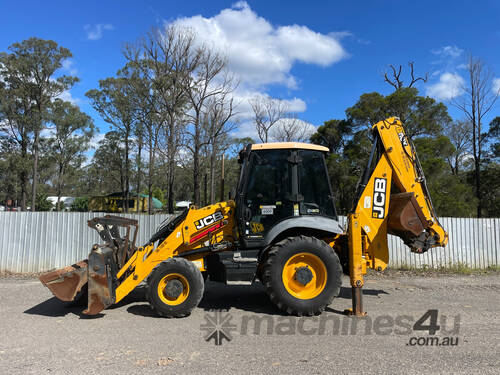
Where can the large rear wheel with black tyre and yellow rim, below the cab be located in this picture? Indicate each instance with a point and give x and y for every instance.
(302, 275)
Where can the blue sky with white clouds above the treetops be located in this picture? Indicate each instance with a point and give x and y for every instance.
(320, 56)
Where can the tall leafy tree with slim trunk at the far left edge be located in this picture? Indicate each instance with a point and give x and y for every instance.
(30, 70)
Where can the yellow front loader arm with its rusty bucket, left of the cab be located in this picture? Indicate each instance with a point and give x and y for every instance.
(116, 267)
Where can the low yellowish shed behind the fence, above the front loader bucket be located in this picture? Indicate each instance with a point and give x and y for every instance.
(114, 202)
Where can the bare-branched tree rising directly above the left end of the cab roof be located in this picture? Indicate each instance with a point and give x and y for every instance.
(267, 112)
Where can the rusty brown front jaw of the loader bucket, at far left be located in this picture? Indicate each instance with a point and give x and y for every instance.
(66, 282)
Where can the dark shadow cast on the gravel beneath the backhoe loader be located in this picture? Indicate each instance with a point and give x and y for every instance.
(217, 296)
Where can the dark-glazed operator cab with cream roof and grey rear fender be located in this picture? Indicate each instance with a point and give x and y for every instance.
(283, 187)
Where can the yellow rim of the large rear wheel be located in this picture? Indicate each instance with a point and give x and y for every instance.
(312, 288)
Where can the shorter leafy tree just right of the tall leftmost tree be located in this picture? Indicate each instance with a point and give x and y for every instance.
(72, 132)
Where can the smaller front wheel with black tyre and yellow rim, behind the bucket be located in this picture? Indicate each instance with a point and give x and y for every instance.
(175, 288)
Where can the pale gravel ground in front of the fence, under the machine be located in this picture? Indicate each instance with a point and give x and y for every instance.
(40, 334)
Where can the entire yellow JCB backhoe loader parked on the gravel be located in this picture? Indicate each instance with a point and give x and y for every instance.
(281, 228)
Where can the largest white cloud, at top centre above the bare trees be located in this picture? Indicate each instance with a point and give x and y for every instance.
(260, 53)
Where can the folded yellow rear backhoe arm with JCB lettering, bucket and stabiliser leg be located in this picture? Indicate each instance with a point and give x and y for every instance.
(391, 198)
